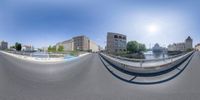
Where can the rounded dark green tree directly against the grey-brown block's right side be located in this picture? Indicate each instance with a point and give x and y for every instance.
(132, 46)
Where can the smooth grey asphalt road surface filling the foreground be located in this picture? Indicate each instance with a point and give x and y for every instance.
(88, 79)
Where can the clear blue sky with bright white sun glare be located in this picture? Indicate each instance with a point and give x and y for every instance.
(45, 22)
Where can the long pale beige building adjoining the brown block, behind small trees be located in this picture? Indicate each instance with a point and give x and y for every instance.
(68, 45)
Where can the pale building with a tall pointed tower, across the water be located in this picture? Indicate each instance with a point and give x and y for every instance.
(183, 46)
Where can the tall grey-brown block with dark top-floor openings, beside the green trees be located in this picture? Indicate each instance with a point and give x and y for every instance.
(116, 42)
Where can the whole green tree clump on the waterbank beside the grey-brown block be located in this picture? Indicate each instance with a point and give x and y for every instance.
(135, 47)
